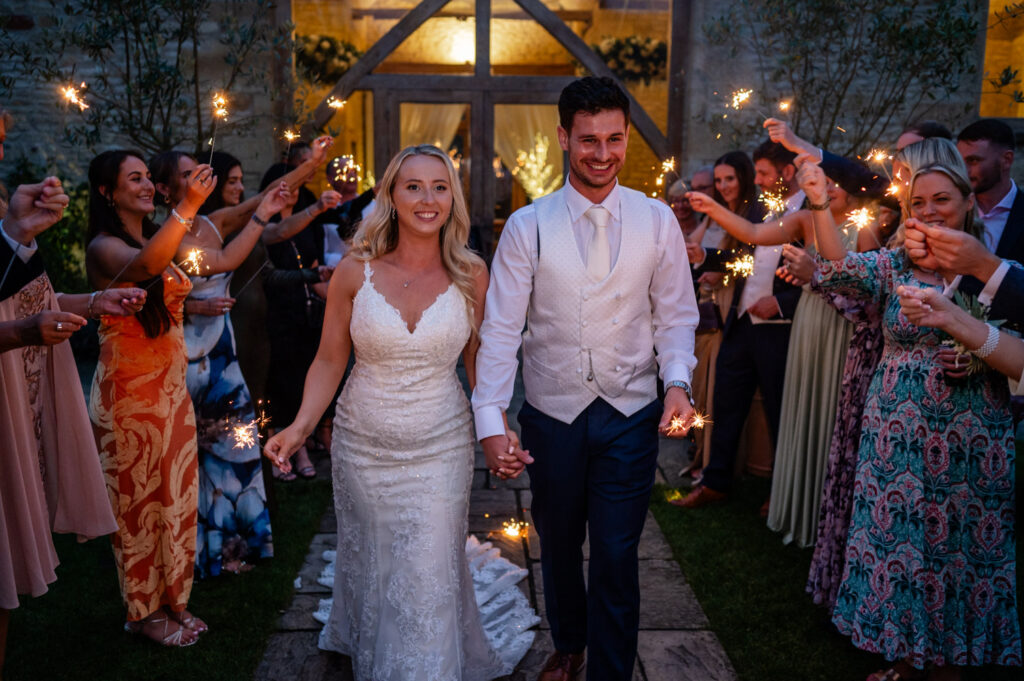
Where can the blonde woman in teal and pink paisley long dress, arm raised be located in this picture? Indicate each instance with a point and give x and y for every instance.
(930, 570)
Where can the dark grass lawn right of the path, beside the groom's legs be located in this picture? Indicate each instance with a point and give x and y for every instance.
(752, 589)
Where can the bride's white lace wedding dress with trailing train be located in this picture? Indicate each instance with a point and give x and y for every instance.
(405, 605)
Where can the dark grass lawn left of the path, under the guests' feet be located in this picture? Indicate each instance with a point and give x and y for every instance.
(76, 630)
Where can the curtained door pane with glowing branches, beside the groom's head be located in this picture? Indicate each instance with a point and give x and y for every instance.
(517, 131)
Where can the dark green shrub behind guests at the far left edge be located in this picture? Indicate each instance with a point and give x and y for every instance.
(63, 246)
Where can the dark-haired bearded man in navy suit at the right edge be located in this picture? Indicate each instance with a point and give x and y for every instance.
(988, 148)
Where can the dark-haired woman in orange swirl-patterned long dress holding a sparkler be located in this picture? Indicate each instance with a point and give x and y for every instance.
(142, 414)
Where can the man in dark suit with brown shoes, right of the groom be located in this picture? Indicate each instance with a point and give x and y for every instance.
(755, 337)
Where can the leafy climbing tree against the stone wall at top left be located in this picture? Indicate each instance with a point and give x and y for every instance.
(146, 80)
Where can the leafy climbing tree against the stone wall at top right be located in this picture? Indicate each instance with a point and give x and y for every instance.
(855, 71)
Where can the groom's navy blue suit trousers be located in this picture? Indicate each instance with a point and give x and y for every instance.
(596, 473)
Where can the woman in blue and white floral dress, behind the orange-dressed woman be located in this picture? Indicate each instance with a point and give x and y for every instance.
(234, 522)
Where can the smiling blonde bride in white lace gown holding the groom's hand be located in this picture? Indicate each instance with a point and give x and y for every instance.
(409, 301)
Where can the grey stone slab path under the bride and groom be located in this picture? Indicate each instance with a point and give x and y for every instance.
(676, 644)
